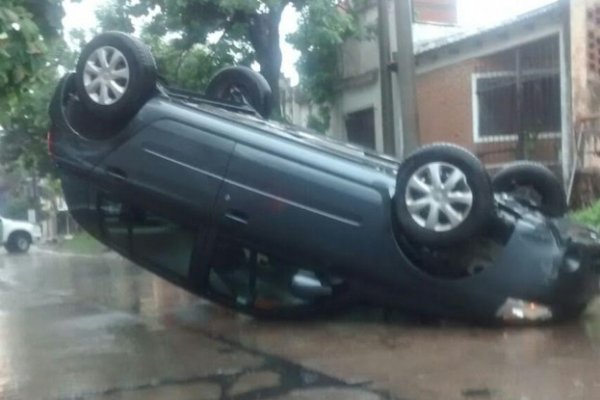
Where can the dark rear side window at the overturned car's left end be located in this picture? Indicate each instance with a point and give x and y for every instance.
(147, 236)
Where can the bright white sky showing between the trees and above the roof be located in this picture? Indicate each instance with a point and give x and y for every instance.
(470, 13)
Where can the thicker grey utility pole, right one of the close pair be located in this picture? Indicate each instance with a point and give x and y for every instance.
(405, 62)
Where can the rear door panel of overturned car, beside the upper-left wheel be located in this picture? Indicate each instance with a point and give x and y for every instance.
(171, 165)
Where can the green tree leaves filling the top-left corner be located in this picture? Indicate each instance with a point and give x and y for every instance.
(26, 27)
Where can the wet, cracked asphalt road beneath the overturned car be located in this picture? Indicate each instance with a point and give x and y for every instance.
(97, 327)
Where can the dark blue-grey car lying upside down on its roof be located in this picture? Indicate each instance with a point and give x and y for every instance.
(273, 221)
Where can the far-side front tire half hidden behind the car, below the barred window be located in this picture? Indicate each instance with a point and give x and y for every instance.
(535, 184)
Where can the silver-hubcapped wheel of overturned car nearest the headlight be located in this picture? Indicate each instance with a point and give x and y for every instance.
(463, 210)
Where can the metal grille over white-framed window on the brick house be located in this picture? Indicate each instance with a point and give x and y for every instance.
(517, 100)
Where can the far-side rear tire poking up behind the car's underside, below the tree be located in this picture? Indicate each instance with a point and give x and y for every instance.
(242, 85)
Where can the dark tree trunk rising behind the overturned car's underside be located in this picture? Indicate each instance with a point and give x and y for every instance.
(265, 38)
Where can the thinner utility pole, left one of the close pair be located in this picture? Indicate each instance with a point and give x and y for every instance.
(385, 78)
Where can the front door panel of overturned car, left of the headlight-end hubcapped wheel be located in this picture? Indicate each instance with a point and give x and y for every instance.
(280, 195)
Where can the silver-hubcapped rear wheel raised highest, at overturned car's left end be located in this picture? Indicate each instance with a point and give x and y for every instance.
(121, 89)
